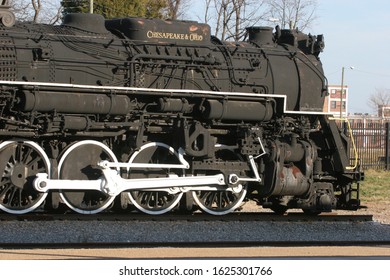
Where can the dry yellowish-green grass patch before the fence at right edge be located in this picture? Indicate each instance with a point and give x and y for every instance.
(376, 186)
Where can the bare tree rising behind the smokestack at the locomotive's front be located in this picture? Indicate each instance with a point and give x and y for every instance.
(293, 14)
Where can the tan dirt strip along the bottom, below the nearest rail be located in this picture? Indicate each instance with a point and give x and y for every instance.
(191, 253)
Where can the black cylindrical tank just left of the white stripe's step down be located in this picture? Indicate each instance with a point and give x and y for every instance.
(237, 110)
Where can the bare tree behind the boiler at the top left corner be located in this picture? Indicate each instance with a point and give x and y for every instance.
(43, 11)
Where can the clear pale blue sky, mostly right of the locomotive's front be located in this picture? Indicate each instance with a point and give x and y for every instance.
(357, 34)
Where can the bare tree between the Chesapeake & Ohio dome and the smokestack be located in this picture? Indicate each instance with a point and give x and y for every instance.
(230, 17)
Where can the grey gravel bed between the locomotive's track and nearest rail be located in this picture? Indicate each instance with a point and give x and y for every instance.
(57, 232)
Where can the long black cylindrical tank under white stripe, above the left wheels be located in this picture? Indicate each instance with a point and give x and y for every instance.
(78, 103)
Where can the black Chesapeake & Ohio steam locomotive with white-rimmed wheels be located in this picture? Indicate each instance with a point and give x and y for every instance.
(109, 114)
